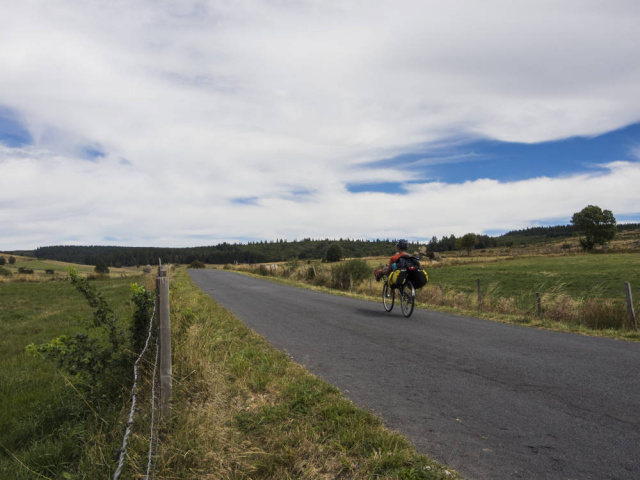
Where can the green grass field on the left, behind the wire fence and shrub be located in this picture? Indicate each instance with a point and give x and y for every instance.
(43, 422)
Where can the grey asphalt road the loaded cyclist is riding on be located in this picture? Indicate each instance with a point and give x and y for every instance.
(491, 400)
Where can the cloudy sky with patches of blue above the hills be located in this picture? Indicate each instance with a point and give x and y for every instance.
(194, 122)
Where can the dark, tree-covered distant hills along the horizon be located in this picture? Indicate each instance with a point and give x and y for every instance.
(282, 250)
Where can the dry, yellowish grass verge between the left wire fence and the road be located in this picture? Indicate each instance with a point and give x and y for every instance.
(244, 410)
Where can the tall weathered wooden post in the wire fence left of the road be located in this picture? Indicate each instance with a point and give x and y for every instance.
(164, 341)
